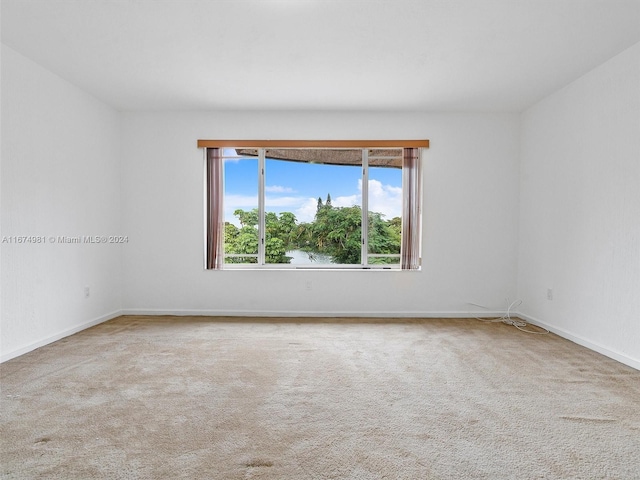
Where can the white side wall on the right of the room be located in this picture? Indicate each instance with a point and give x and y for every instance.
(580, 209)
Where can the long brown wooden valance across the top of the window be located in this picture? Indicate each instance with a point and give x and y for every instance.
(313, 143)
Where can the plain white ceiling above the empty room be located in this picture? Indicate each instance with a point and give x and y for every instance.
(418, 55)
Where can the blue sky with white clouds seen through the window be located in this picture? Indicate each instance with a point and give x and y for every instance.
(295, 187)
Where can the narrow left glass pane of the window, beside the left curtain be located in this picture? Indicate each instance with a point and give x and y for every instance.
(240, 207)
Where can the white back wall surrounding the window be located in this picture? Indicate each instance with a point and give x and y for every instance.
(470, 219)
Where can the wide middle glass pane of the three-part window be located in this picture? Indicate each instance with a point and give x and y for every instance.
(313, 206)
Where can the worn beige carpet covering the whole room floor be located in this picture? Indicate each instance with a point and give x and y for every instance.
(206, 398)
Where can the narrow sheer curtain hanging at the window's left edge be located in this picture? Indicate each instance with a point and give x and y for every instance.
(215, 222)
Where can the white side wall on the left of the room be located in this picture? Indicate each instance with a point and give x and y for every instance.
(60, 176)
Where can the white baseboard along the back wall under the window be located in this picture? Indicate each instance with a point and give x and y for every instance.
(307, 313)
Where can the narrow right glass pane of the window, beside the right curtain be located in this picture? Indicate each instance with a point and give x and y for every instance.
(385, 207)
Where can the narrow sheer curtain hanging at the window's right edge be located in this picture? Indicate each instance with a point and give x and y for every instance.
(411, 206)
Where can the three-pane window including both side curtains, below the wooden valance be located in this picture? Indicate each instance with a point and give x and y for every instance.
(313, 207)
